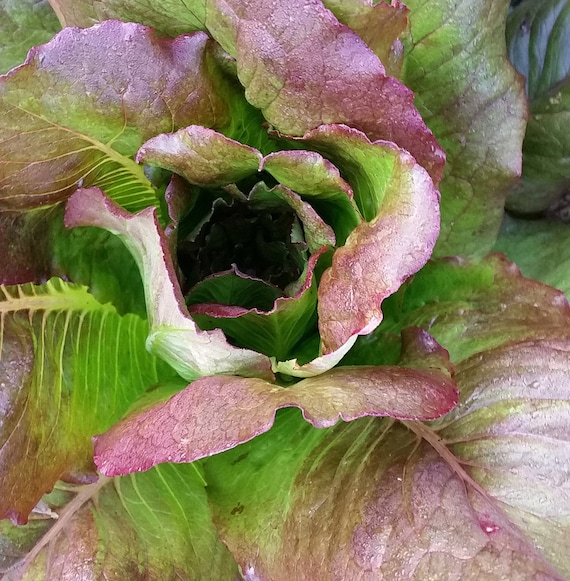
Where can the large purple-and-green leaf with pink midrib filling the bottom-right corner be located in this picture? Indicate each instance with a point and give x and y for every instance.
(482, 493)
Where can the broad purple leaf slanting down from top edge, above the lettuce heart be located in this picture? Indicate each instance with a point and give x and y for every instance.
(303, 68)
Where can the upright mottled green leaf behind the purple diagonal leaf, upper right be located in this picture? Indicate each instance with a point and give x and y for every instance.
(473, 101)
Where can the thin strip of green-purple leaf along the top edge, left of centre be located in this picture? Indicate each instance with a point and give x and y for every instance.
(169, 18)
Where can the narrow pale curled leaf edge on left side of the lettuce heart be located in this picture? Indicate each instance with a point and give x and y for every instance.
(173, 335)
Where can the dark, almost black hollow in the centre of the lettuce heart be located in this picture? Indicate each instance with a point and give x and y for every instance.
(263, 243)
